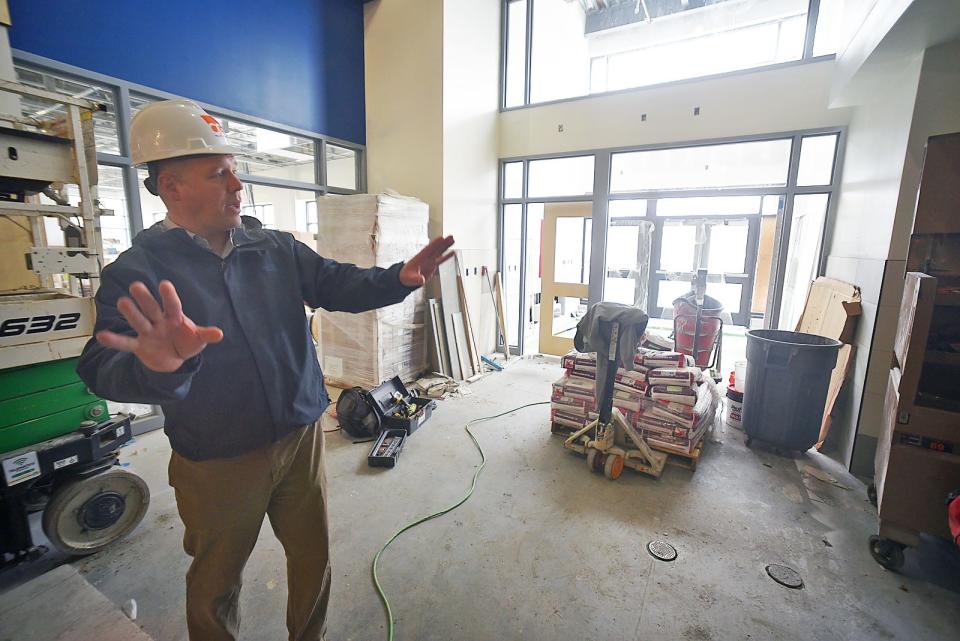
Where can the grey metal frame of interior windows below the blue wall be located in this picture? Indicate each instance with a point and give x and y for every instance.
(122, 89)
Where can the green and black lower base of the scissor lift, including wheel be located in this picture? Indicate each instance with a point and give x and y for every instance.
(58, 450)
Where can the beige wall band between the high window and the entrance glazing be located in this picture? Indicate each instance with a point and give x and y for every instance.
(784, 99)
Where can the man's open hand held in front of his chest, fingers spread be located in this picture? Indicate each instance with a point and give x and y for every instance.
(165, 336)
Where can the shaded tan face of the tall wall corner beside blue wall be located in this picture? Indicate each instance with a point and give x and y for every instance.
(403, 52)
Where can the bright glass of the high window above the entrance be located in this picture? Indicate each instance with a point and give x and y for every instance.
(580, 48)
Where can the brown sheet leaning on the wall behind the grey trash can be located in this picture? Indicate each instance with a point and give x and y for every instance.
(832, 310)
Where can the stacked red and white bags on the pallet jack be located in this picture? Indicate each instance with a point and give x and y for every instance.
(664, 396)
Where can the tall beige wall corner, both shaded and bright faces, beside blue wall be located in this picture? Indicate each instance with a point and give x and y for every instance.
(432, 93)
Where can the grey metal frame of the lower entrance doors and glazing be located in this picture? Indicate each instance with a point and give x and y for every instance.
(601, 198)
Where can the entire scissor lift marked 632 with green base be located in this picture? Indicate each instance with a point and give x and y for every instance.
(58, 442)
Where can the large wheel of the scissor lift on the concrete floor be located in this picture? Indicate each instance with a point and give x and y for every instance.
(88, 514)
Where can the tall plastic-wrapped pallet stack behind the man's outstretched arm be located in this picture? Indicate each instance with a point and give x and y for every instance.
(373, 230)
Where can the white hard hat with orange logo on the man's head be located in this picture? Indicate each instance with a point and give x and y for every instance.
(175, 129)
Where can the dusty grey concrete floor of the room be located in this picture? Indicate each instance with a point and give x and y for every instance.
(544, 550)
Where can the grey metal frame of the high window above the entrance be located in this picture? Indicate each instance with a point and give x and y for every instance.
(807, 57)
